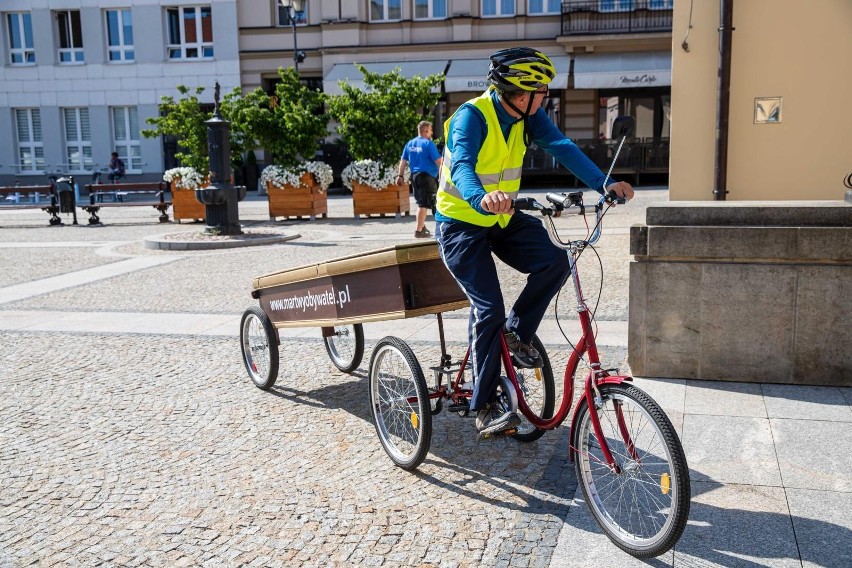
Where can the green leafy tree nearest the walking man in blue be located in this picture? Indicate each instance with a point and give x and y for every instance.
(377, 123)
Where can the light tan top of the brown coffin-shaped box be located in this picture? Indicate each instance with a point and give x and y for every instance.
(389, 256)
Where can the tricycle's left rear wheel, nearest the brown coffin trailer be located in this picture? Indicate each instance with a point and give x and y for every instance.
(399, 402)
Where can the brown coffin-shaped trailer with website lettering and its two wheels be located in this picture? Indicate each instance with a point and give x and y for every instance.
(339, 295)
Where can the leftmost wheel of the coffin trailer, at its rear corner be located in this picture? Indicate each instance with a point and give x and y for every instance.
(259, 344)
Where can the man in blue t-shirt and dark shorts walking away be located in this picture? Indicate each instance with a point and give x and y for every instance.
(424, 159)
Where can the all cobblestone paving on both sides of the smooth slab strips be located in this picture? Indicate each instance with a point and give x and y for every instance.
(152, 450)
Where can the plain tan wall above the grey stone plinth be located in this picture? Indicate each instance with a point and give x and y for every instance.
(786, 135)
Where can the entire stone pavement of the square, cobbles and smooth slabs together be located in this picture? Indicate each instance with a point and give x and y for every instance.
(130, 434)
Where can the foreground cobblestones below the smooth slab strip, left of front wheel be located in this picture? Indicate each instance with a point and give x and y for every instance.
(158, 451)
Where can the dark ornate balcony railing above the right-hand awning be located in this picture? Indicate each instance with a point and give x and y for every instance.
(616, 16)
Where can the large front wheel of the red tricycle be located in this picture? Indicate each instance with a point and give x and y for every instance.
(644, 505)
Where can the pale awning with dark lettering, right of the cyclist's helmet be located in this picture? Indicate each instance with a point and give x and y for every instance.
(625, 70)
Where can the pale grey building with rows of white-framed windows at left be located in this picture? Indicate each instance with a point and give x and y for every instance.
(79, 78)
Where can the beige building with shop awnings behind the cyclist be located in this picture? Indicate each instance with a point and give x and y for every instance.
(612, 56)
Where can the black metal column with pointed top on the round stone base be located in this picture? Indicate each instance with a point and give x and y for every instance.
(221, 197)
